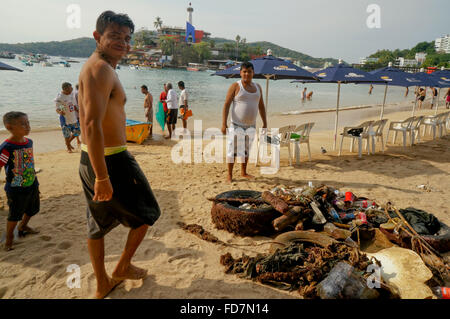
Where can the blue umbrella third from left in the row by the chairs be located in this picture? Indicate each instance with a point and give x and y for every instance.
(396, 77)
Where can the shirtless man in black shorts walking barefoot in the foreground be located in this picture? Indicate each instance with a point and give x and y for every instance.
(116, 190)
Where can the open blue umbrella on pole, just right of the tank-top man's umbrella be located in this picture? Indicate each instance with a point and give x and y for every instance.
(343, 74)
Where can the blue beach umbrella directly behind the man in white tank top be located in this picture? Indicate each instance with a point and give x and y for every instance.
(270, 68)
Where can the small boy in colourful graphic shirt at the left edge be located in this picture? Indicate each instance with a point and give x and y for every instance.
(22, 187)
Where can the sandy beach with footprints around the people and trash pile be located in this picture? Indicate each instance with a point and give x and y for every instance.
(180, 265)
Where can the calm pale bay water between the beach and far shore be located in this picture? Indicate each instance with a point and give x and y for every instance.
(33, 91)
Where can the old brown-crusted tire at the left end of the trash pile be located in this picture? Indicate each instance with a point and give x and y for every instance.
(244, 222)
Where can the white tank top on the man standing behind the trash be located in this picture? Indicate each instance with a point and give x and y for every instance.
(245, 106)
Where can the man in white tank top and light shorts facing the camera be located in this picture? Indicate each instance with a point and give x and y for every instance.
(247, 100)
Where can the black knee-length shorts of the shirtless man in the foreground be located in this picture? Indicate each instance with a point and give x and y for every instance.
(133, 203)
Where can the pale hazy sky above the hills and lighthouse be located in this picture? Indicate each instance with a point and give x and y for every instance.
(320, 28)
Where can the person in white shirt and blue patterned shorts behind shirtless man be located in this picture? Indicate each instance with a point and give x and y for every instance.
(66, 106)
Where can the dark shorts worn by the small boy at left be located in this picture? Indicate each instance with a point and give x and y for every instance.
(23, 202)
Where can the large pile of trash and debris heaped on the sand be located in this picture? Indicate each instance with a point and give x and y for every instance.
(348, 226)
